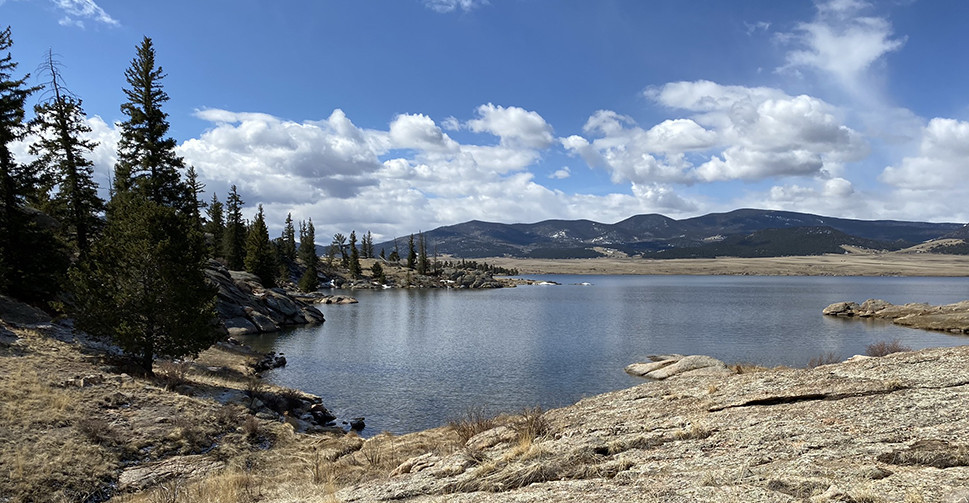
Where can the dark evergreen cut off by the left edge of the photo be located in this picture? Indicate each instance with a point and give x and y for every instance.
(32, 259)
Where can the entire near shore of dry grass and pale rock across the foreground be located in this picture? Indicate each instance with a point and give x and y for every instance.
(871, 429)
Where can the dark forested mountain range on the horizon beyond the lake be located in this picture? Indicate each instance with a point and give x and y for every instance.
(731, 233)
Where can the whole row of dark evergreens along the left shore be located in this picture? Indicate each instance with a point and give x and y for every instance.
(132, 268)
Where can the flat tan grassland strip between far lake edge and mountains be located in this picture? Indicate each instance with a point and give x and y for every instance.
(876, 264)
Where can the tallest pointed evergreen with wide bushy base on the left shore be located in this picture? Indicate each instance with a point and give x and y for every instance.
(142, 283)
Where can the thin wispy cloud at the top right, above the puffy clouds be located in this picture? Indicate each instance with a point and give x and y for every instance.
(841, 42)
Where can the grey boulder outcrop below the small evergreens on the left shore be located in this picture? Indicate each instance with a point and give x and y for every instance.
(246, 307)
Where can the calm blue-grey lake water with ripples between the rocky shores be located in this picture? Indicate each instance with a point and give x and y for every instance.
(413, 359)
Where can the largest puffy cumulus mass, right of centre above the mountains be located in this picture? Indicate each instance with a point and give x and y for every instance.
(733, 133)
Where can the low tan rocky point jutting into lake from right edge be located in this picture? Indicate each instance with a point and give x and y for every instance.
(949, 318)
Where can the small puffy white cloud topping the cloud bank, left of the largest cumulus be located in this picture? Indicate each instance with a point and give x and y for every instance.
(516, 127)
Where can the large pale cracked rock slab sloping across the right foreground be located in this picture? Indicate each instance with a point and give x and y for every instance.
(871, 430)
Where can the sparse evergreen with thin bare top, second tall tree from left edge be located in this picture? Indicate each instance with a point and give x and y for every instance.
(59, 125)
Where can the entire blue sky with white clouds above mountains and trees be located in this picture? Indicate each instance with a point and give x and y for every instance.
(395, 116)
